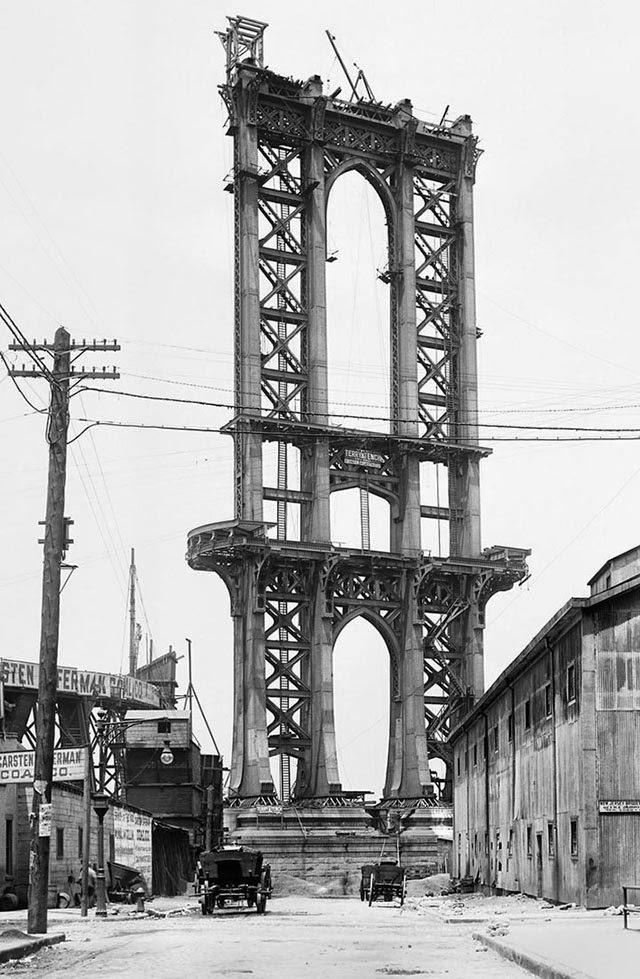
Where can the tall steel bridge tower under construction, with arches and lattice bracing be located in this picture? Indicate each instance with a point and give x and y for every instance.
(291, 598)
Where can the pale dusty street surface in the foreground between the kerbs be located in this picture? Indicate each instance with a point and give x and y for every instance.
(298, 937)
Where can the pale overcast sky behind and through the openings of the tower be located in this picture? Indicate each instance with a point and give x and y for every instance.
(115, 223)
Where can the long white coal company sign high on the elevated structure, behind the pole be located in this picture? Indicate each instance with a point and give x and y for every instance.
(14, 673)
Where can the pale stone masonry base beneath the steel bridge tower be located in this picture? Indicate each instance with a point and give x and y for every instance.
(321, 848)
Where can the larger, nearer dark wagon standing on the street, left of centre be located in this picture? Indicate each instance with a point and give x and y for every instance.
(232, 876)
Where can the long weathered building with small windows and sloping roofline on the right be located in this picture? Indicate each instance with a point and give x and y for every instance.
(546, 770)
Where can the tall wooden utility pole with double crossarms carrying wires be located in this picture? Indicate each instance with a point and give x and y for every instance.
(55, 545)
